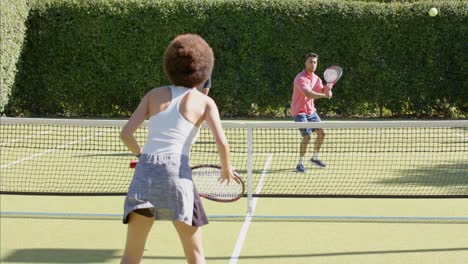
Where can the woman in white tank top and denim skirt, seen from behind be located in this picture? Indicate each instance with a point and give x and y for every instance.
(162, 186)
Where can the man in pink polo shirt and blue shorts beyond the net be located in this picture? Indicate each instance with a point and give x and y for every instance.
(308, 87)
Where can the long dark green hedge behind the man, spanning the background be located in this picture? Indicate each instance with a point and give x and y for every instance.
(99, 57)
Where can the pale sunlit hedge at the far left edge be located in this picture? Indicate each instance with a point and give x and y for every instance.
(13, 14)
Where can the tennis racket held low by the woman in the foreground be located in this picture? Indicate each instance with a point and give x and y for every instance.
(206, 179)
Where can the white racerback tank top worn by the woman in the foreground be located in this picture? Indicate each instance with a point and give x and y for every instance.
(169, 132)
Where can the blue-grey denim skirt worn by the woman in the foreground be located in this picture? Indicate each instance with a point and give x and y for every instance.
(162, 188)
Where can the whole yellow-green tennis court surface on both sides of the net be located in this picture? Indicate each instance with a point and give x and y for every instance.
(402, 161)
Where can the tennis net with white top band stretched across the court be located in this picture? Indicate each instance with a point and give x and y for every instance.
(388, 159)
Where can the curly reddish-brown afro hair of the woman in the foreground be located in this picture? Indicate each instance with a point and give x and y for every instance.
(188, 60)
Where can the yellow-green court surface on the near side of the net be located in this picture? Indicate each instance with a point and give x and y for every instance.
(310, 231)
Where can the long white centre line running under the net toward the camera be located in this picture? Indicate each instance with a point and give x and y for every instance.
(248, 217)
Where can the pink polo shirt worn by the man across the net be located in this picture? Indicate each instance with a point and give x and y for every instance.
(300, 104)
